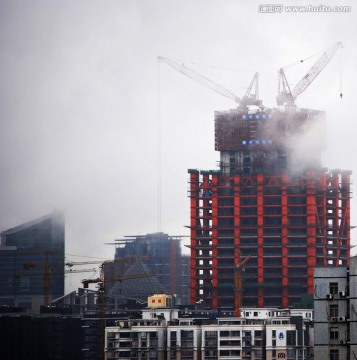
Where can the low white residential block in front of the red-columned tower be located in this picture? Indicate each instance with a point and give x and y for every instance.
(168, 333)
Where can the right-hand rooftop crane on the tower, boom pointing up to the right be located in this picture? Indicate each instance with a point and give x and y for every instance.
(288, 96)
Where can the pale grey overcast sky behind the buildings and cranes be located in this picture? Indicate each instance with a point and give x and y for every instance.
(82, 95)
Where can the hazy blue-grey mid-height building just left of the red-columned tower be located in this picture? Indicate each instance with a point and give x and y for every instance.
(159, 253)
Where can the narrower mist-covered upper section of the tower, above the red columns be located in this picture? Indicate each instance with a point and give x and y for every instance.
(254, 140)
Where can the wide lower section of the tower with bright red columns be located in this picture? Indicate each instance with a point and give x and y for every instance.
(287, 225)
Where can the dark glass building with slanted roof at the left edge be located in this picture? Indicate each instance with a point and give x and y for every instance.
(32, 262)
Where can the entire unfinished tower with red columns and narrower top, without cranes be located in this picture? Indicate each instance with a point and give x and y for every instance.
(272, 203)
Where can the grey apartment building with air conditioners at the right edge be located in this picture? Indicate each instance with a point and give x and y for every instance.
(335, 305)
